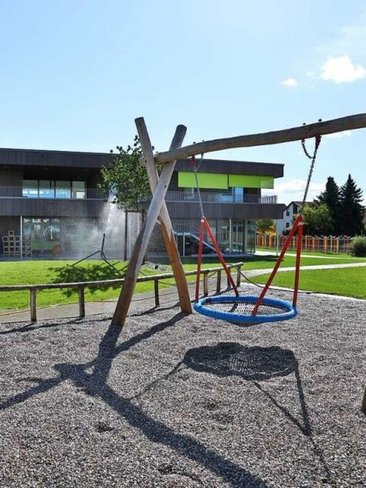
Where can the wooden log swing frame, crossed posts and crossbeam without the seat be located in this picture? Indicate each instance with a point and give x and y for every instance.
(159, 186)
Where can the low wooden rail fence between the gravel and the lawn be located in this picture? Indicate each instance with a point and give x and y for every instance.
(80, 286)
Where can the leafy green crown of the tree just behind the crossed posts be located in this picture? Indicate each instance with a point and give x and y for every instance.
(126, 178)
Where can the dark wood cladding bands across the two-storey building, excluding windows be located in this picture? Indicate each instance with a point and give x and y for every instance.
(18, 165)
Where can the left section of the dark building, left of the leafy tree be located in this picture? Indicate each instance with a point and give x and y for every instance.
(50, 202)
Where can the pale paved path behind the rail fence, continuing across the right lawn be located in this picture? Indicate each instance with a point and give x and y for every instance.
(107, 306)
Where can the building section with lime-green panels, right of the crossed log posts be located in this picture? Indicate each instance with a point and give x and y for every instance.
(232, 202)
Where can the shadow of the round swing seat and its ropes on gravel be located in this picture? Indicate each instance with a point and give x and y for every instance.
(256, 364)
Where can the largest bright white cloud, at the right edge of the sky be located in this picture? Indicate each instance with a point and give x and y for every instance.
(342, 70)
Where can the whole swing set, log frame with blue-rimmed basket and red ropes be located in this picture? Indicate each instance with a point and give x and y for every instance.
(240, 309)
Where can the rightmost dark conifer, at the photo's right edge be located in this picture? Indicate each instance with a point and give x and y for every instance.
(351, 211)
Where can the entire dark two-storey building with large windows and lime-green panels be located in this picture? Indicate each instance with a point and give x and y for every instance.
(50, 204)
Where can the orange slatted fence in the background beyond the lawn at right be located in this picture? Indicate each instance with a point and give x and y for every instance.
(325, 244)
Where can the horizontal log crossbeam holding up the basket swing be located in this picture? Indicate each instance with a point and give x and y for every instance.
(276, 137)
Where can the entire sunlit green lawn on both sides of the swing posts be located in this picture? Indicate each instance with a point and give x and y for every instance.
(349, 282)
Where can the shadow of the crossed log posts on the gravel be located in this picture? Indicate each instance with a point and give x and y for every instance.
(96, 384)
